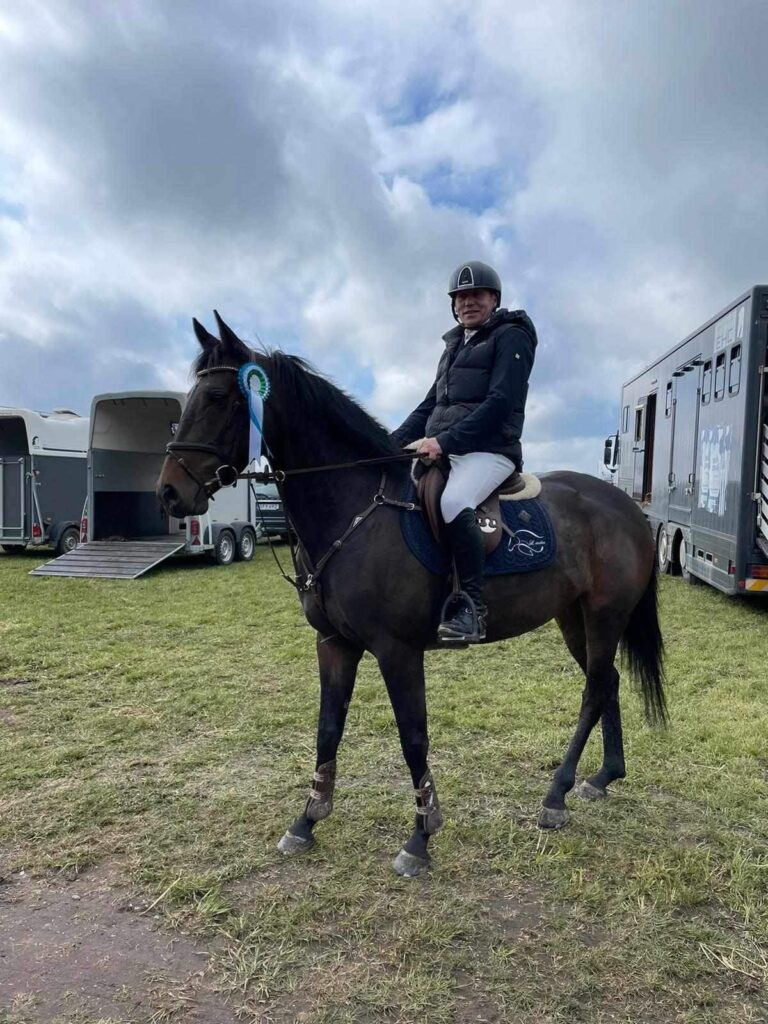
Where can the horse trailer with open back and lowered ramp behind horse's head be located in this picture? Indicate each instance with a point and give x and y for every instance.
(125, 531)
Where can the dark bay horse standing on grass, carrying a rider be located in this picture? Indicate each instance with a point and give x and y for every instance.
(362, 589)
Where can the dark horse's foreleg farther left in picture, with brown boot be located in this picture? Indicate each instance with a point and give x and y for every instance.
(338, 663)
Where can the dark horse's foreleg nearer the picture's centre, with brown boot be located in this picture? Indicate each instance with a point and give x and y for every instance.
(403, 670)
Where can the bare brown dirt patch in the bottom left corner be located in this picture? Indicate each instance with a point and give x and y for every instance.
(83, 951)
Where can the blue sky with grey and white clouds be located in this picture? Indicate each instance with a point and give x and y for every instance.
(316, 172)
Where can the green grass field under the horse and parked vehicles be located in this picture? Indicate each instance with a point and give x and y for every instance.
(164, 729)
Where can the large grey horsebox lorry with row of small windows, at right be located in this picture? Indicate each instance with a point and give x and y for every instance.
(693, 450)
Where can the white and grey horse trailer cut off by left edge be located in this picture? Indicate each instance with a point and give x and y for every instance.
(42, 479)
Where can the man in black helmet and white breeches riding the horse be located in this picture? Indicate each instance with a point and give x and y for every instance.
(473, 416)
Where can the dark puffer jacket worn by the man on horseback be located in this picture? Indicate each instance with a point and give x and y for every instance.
(478, 402)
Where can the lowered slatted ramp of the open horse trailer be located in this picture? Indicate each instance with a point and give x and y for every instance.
(112, 560)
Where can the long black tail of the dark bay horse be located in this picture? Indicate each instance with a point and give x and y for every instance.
(643, 650)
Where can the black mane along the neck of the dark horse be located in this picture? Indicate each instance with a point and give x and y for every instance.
(305, 393)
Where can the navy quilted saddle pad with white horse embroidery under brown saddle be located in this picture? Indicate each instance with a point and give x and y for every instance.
(534, 546)
